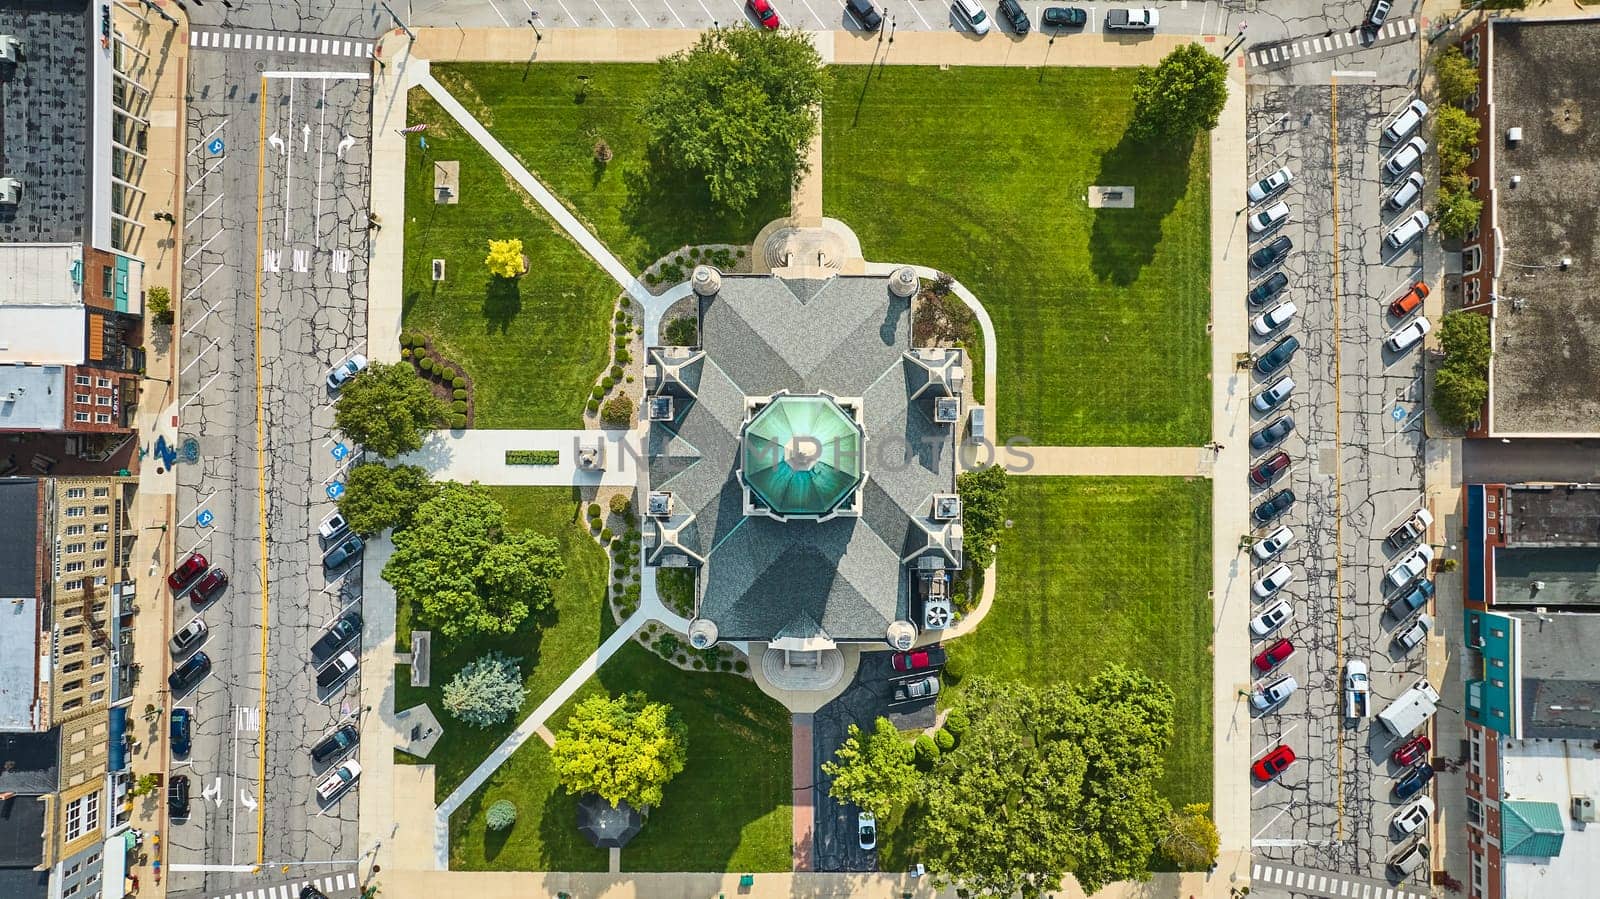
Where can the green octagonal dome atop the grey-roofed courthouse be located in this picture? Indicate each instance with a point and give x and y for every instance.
(802, 455)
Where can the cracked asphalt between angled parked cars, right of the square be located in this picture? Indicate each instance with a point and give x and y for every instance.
(1358, 471)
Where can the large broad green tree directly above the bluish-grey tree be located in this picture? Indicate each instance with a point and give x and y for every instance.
(465, 573)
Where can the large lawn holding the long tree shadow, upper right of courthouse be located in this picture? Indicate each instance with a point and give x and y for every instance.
(983, 174)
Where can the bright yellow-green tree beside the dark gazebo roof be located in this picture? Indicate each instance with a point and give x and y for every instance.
(622, 748)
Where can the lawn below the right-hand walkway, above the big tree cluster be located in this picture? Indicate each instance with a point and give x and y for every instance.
(1108, 570)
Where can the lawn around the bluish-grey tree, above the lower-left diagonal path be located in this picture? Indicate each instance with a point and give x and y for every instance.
(551, 645)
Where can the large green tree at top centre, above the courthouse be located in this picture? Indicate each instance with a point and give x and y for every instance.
(738, 111)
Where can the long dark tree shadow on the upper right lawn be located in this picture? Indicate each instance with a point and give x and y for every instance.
(1122, 242)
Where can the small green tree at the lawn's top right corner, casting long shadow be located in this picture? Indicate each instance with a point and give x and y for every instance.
(1182, 97)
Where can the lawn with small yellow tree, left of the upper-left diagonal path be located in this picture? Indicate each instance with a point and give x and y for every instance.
(534, 345)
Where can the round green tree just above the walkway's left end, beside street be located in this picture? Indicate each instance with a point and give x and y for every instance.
(388, 410)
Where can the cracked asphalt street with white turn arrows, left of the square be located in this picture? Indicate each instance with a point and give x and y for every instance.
(276, 294)
